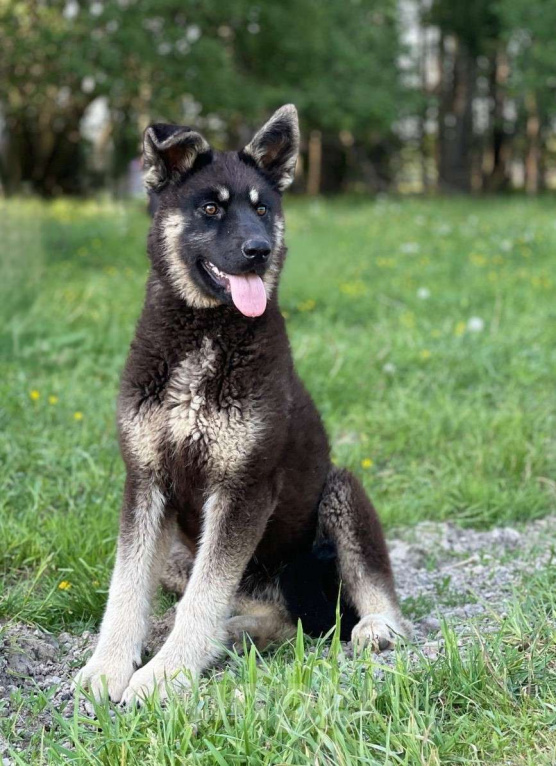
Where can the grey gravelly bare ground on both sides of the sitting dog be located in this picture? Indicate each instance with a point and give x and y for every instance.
(442, 572)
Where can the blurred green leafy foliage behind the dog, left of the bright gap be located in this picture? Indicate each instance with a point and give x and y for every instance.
(336, 60)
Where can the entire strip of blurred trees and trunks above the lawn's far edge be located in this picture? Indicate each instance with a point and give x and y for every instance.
(406, 95)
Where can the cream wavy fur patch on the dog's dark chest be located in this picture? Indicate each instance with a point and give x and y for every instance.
(204, 412)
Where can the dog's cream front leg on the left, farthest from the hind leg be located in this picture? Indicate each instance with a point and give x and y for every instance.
(142, 543)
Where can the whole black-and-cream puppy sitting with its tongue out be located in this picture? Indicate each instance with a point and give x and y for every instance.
(224, 448)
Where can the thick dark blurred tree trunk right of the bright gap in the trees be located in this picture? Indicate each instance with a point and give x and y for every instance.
(456, 116)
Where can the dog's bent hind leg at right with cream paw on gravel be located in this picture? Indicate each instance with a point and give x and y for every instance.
(348, 519)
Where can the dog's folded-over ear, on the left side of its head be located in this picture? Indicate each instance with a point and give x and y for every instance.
(168, 152)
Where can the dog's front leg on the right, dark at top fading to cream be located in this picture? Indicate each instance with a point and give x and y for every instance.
(233, 524)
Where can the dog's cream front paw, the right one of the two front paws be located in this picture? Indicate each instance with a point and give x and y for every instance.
(164, 672)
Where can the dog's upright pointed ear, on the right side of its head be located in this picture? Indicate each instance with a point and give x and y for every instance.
(275, 146)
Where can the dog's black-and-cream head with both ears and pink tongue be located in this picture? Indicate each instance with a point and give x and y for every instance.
(218, 230)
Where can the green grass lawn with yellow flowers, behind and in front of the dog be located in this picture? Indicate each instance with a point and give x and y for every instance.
(426, 332)
